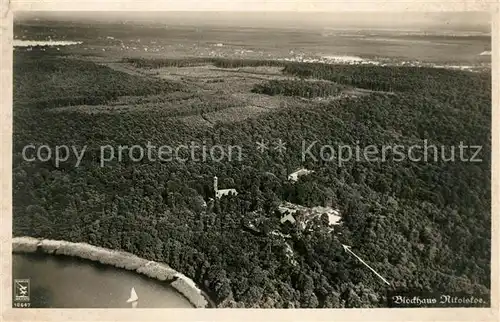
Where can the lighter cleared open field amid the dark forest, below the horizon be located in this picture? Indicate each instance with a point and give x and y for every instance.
(202, 94)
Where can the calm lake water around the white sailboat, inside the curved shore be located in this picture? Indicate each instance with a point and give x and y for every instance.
(67, 282)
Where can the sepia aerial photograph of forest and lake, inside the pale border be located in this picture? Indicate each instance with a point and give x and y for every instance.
(270, 160)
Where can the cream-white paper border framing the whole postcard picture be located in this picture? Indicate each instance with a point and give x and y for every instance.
(9, 314)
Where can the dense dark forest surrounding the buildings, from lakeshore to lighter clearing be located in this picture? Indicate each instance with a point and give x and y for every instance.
(423, 225)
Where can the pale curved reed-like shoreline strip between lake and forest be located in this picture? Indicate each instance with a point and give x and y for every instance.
(119, 259)
